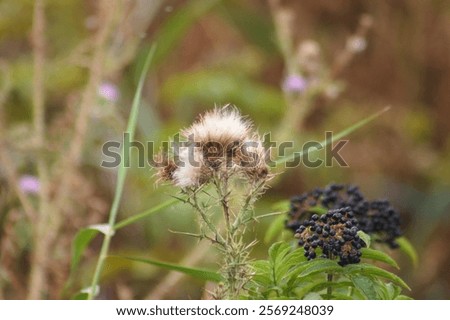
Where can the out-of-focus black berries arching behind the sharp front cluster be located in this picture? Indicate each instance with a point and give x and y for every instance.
(373, 217)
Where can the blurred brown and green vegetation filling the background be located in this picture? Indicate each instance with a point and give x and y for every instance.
(211, 52)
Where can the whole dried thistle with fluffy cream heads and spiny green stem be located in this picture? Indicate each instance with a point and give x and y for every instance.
(221, 146)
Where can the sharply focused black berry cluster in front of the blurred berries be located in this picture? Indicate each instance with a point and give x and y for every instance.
(334, 233)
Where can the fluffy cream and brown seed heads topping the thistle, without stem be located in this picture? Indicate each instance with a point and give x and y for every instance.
(222, 141)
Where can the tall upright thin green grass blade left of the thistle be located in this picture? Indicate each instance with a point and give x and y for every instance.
(121, 176)
